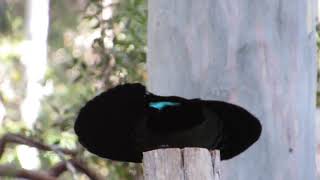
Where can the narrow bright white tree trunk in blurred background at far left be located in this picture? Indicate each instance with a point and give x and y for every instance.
(35, 60)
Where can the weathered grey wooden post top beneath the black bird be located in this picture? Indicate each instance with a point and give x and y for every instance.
(186, 164)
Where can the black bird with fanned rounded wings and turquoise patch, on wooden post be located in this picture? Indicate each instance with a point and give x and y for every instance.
(125, 121)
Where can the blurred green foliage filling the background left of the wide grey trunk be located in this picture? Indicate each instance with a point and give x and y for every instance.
(88, 53)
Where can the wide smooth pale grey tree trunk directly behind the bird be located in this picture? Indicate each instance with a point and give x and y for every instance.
(259, 54)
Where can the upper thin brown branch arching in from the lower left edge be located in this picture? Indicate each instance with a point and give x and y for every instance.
(19, 139)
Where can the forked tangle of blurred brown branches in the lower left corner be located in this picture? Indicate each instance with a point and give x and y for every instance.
(51, 174)
